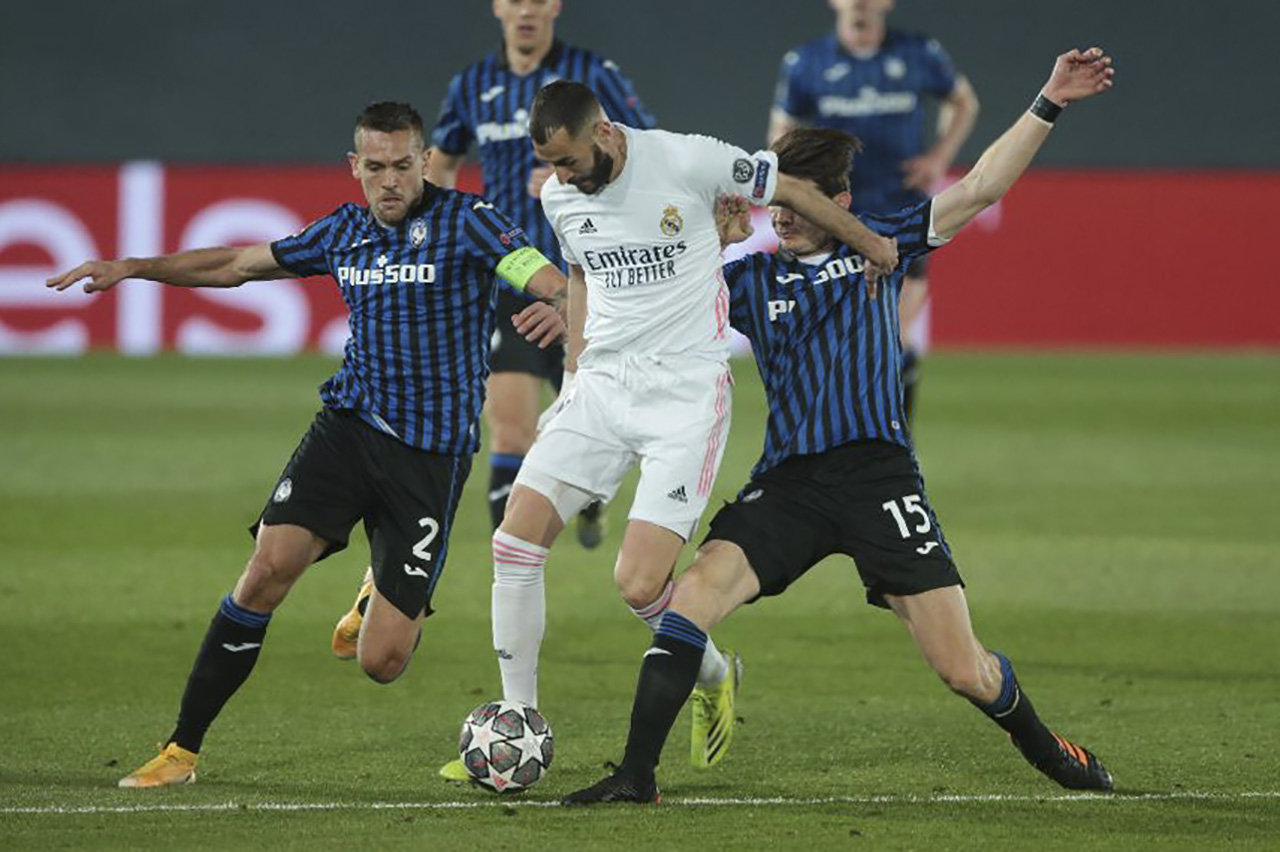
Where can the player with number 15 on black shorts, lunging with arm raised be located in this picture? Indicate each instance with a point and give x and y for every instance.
(839, 475)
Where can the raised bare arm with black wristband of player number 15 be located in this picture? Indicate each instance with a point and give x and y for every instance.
(1076, 76)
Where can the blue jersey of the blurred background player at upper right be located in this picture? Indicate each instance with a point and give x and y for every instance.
(877, 98)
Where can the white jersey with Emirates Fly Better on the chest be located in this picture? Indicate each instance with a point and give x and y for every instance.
(648, 246)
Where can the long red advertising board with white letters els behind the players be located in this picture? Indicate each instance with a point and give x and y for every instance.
(1094, 259)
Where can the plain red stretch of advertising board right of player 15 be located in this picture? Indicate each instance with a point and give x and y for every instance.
(1117, 259)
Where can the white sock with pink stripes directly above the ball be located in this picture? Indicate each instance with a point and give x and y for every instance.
(519, 615)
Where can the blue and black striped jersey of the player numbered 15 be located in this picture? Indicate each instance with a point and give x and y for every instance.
(829, 355)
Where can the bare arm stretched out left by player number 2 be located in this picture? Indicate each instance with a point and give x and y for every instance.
(225, 267)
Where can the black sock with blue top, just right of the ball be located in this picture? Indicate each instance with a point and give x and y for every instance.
(668, 679)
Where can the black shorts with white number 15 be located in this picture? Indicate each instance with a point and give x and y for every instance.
(865, 500)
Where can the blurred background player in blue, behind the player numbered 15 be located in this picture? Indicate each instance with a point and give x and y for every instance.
(872, 83)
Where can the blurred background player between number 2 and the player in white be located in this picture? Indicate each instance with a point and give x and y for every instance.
(488, 107)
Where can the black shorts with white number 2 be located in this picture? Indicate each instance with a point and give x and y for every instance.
(346, 470)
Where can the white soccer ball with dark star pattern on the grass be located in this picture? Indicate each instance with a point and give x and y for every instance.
(506, 745)
